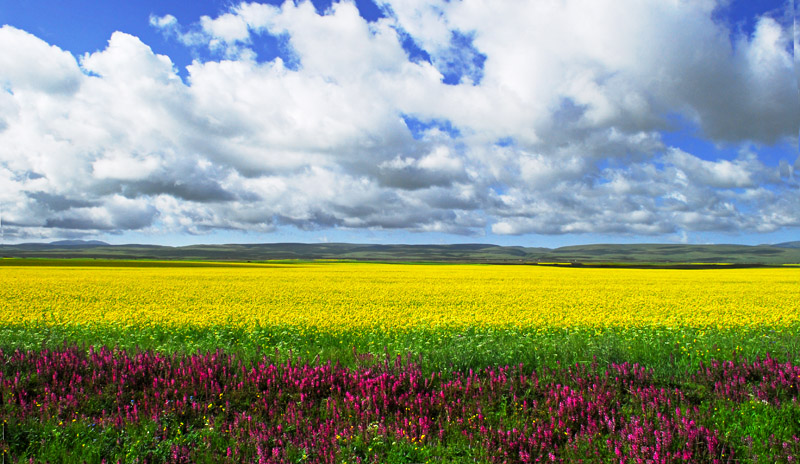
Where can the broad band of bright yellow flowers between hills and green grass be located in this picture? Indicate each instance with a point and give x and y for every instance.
(397, 297)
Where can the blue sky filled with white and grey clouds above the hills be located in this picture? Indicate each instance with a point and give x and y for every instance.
(532, 123)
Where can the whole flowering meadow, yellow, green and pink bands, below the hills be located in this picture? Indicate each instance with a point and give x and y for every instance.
(355, 362)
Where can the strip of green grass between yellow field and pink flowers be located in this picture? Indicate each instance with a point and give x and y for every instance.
(662, 349)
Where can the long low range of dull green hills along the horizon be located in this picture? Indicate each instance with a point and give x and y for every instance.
(600, 254)
